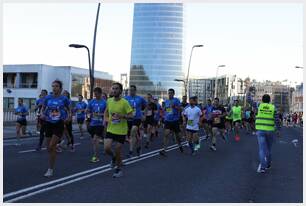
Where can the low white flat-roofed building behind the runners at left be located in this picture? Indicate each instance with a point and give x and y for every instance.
(27, 80)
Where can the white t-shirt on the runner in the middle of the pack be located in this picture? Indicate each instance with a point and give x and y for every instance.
(193, 117)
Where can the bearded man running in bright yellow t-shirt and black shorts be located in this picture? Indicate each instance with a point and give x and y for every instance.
(118, 110)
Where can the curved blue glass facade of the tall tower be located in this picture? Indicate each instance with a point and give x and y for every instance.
(157, 48)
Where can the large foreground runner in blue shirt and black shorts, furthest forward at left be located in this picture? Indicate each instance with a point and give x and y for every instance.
(54, 108)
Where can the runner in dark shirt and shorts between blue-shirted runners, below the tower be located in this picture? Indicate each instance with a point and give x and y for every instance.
(149, 112)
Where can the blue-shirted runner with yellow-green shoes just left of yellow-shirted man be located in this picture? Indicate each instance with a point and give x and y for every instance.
(95, 109)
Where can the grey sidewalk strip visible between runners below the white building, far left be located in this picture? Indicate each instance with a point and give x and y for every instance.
(9, 131)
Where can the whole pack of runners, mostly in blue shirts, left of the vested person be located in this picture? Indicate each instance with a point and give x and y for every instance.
(133, 119)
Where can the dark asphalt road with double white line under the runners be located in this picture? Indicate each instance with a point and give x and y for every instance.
(227, 175)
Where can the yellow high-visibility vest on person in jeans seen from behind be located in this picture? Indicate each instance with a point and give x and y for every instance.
(265, 117)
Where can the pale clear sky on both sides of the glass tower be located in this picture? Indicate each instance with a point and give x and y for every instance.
(263, 41)
